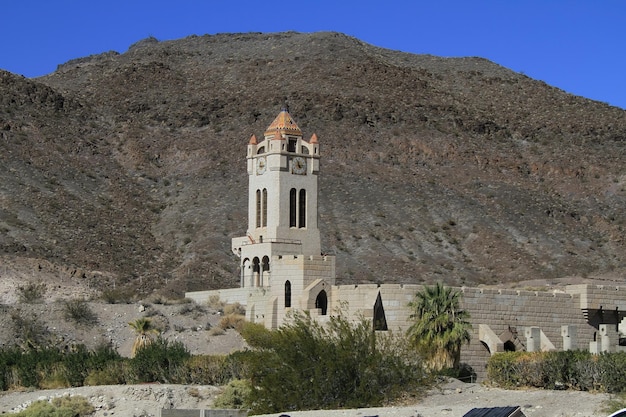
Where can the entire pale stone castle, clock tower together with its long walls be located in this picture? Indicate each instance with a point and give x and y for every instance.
(281, 269)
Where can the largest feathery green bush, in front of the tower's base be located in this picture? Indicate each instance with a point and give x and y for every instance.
(306, 365)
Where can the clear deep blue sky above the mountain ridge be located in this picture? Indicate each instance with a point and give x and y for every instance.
(578, 46)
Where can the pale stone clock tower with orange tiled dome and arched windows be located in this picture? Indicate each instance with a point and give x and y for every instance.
(281, 252)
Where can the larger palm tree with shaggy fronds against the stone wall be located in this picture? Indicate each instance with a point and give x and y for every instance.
(440, 326)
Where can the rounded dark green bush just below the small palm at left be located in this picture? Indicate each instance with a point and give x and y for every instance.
(157, 361)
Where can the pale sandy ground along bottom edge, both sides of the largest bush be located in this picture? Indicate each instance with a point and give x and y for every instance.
(452, 399)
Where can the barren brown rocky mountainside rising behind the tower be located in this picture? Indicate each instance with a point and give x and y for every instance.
(129, 169)
